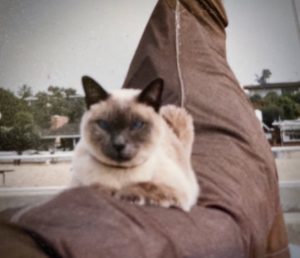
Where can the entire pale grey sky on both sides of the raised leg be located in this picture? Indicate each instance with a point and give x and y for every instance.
(55, 42)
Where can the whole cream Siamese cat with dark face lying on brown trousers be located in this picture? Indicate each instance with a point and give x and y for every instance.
(135, 147)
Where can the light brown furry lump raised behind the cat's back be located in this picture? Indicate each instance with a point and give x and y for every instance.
(181, 122)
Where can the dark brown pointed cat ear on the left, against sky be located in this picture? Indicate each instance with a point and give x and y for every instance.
(93, 91)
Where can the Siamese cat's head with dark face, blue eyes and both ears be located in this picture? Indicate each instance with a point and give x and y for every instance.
(121, 128)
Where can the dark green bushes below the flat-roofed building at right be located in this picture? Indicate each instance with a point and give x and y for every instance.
(274, 107)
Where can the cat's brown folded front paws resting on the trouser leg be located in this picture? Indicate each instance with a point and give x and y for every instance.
(149, 194)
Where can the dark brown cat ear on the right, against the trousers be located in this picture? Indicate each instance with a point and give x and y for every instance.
(152, 94)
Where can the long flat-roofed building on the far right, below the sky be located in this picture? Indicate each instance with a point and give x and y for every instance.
(279, 88)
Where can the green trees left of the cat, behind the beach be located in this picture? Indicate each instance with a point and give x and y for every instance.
(22, 120)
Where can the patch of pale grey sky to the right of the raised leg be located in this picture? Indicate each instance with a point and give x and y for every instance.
(263, 34)
